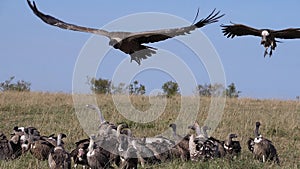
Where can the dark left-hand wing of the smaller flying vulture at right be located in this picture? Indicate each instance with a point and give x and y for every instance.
(230, 31)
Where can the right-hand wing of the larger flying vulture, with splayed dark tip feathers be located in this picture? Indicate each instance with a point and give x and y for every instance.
(163, 34)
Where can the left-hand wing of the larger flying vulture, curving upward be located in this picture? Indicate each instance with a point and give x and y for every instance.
(58, 23)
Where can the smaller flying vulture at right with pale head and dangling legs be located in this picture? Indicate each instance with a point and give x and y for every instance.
(268, 36)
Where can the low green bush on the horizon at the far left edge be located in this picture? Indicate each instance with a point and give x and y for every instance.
(20, 85)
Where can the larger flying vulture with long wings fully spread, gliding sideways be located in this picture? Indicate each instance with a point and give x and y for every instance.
(131, 43)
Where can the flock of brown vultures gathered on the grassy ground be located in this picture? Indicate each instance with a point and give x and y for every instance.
(115, 146)
